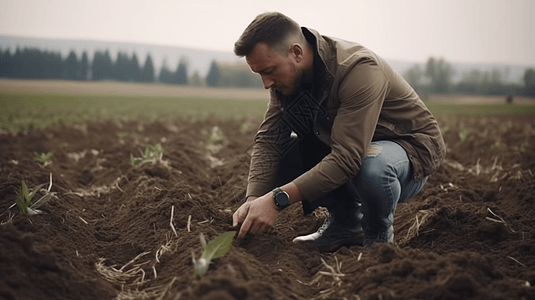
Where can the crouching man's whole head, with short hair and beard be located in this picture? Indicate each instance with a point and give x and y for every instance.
(275, 47)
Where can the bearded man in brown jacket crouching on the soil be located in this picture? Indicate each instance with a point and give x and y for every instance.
(342, 130)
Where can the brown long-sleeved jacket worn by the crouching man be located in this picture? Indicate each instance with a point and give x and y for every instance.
(360, 99)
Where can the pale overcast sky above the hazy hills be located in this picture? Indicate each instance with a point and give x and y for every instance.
(469, 31)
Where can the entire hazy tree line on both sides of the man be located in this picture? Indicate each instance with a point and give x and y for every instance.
(436, 77)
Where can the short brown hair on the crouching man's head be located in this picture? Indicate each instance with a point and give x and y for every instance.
(271, 28)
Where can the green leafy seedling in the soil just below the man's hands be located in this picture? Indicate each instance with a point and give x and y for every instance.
(215, 249)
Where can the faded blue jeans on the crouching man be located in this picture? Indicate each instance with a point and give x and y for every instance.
(384, 180)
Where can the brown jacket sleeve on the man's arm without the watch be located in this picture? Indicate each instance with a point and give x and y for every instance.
(267, 150)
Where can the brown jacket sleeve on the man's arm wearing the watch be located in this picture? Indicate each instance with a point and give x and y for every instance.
(361, 95)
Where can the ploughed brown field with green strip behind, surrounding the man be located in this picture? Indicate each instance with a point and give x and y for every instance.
(115, 231)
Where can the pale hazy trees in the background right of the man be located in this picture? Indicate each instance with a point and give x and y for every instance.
(437, 78)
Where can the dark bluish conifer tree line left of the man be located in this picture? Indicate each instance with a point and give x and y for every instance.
(33, 63)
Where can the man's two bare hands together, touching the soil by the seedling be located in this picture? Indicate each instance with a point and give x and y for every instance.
(256, 215)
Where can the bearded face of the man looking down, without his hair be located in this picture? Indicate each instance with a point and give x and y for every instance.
(279, 72)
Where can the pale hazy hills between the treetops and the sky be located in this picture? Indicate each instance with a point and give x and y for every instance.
(199, 60)
